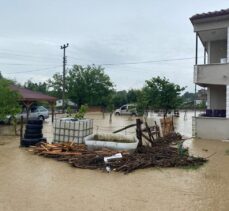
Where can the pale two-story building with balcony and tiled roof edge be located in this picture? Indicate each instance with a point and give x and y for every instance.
(212, 31)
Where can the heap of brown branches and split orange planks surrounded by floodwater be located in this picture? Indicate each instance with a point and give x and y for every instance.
(161, 154)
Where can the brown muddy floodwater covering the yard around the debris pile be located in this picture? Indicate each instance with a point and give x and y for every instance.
(29, 182)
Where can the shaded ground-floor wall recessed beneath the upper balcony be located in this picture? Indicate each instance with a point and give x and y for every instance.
(217, 97)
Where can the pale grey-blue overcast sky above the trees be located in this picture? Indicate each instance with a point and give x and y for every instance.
(101, 32)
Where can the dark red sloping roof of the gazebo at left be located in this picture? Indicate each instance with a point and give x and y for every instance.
(29, 95)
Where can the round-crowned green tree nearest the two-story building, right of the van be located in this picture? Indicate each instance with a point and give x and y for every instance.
(159, 93)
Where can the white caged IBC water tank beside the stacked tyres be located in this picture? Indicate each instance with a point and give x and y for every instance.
(68, 130)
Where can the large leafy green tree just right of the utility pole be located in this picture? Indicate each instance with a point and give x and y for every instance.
(89, 85)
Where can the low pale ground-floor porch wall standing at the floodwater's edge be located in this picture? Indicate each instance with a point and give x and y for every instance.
(211, 128)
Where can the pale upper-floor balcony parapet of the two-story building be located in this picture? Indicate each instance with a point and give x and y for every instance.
(216, 74)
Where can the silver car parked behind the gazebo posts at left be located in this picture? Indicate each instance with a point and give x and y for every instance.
(36, 112)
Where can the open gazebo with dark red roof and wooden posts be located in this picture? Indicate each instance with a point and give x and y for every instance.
(28, 97)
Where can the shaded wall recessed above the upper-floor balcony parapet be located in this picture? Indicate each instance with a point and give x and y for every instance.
(218, 50)
